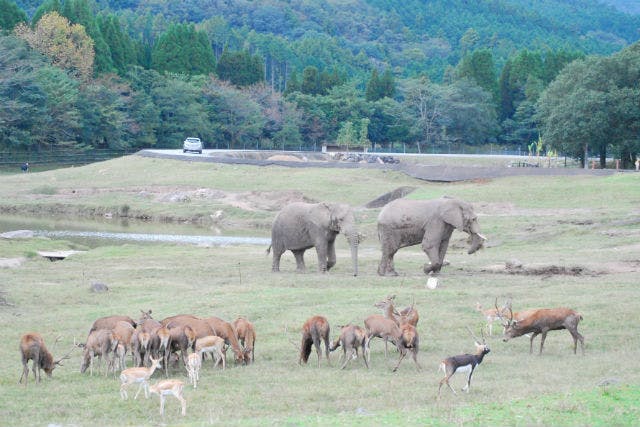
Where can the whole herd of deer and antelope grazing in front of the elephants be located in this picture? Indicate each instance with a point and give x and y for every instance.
(188, 339)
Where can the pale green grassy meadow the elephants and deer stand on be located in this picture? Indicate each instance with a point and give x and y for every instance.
(588, 226)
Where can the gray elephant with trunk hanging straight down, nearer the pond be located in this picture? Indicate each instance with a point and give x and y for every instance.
(301, 226)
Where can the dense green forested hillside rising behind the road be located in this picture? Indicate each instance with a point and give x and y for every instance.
(423, 75)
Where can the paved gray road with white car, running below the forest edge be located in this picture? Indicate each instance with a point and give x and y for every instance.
(436, 173)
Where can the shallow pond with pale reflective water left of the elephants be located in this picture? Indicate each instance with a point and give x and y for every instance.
(94, 233)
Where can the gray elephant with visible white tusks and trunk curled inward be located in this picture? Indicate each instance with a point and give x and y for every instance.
(406, 222)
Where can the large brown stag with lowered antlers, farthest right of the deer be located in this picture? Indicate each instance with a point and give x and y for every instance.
(541, 321)
